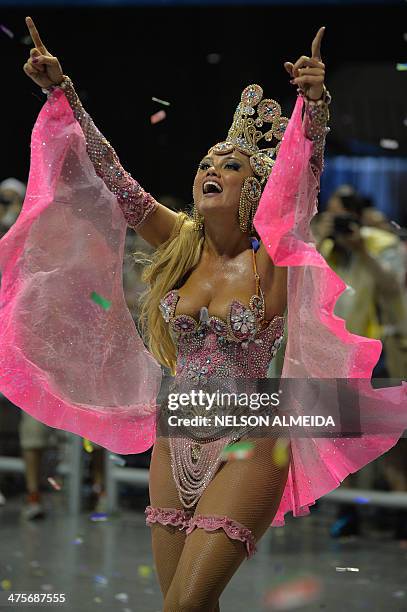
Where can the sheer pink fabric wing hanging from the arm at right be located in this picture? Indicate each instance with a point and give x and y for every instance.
(319, 346)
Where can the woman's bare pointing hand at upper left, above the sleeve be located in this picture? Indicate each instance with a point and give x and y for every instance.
(42, 67)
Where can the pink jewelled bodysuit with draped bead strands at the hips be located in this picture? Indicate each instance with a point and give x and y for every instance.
(240, 347)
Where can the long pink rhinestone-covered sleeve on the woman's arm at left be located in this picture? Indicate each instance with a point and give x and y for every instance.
(134, 202)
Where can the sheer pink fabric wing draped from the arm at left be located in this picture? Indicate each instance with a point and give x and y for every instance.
(65, 359)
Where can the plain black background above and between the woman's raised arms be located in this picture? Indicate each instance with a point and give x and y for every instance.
(119, 57)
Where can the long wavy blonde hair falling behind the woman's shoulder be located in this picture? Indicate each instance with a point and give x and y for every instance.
(163, 271)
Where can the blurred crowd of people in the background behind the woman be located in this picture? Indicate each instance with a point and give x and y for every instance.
(364, 248)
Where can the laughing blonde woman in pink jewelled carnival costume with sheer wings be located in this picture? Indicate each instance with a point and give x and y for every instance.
(216, 306)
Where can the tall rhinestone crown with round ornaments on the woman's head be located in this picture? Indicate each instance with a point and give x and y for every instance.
(245, 134)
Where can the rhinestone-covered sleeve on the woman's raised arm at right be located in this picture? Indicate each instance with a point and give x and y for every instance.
(316, 117)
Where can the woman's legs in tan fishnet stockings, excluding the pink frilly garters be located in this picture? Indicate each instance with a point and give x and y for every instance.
(194, 570)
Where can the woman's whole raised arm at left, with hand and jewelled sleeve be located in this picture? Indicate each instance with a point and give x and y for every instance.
(153, 221)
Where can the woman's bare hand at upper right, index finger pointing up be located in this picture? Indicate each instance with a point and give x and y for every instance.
(309, 72)
